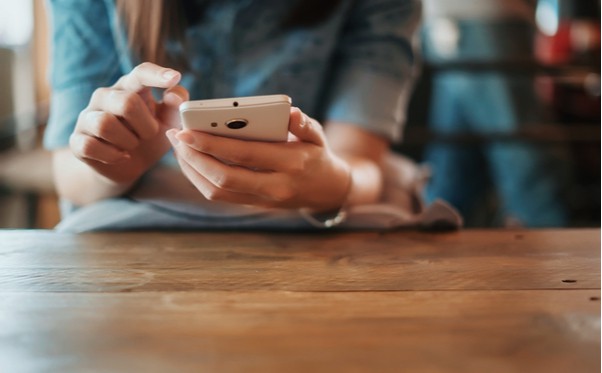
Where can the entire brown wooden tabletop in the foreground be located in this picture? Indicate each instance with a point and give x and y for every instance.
(468, 301)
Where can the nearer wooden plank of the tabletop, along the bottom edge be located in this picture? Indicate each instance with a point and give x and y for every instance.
(467, 331)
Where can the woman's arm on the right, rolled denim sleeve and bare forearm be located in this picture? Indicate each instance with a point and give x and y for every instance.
(372, 76)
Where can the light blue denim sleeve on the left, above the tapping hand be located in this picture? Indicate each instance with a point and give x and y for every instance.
(83, 58)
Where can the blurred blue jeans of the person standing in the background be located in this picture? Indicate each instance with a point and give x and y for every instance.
(528, 178)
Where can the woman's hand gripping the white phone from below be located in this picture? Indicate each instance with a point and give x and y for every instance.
(300, 173)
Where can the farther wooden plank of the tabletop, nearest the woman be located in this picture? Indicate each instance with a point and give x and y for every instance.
(44, 261)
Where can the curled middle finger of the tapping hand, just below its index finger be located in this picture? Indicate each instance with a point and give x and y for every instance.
(129, 107)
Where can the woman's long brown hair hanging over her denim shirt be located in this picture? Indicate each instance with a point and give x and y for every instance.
(152, 25)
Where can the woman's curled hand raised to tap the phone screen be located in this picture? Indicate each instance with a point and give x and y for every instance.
(121, 134)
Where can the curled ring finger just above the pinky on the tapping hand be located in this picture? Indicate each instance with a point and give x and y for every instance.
(108, 128)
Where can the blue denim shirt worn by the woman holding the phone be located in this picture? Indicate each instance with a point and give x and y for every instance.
(355, 67)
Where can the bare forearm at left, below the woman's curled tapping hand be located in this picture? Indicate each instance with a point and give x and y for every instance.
(81, 184)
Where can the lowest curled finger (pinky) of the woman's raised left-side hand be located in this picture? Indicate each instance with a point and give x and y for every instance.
(91, 148)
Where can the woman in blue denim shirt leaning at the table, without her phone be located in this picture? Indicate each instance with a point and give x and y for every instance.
(121, 69)
